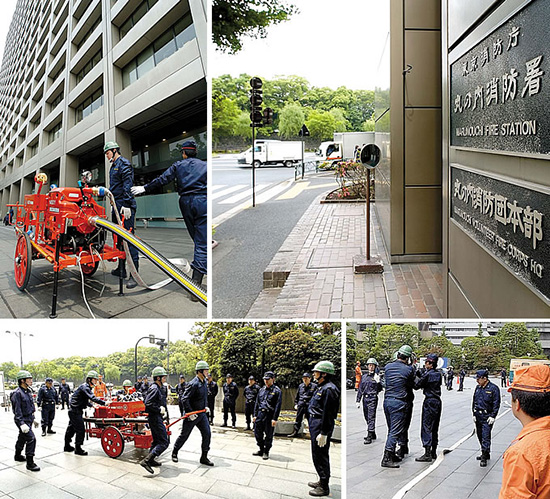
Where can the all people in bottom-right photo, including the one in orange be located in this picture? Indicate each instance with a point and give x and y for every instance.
(526, 462)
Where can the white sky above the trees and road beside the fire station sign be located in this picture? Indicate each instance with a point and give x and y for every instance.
(329, 43)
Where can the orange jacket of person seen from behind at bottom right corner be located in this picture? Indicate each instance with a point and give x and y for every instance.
(527, 463)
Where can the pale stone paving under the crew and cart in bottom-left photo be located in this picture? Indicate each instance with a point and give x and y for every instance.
(236, 473)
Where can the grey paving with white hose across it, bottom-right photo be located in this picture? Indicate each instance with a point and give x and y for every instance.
(458, 475)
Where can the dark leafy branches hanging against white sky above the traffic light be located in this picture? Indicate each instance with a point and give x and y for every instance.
(234, 19)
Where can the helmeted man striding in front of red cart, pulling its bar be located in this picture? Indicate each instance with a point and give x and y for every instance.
(195, 399)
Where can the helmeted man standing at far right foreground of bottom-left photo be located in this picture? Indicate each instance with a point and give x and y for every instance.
(323, 411)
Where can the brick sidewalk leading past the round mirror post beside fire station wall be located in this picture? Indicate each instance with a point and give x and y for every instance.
(311, 276)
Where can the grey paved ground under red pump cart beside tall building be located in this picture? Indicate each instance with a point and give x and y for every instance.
(171, 301)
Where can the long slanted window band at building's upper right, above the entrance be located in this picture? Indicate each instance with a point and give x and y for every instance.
(164, 46)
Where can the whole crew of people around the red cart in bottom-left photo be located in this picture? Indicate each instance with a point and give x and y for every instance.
(318, 402)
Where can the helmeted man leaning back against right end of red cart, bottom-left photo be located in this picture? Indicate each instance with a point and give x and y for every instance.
(157, 410)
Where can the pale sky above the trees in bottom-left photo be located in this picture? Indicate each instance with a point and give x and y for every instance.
(83, 337)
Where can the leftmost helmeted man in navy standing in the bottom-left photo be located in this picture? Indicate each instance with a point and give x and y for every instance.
(23, 408)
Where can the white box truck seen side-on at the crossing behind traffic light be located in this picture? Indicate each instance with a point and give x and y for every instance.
(273, 152)
